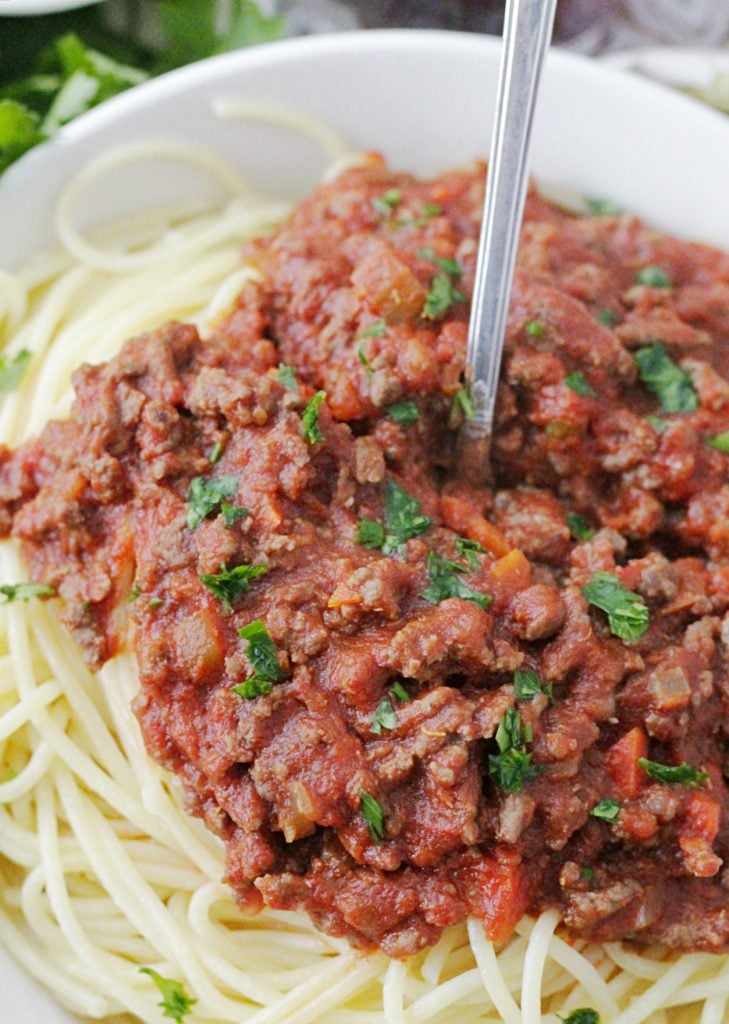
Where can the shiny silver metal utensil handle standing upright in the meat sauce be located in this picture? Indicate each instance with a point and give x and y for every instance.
(528, 31)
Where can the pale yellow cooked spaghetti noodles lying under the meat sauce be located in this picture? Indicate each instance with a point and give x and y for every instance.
(103, 872)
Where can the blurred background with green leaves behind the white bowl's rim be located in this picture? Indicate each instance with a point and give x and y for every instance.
(61, 58)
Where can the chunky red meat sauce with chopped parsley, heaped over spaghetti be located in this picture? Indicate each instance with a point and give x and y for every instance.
(398, 700)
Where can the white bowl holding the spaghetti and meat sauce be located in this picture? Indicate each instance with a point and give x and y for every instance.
(423, 99)
